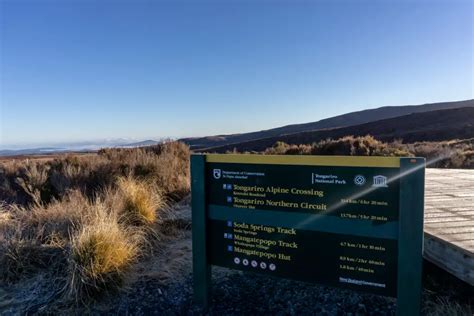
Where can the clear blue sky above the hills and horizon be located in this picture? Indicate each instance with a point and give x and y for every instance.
(84, 70)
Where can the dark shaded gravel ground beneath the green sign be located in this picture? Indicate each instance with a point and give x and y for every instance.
(235, 293)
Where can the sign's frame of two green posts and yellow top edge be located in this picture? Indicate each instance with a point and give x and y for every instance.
(410, 232)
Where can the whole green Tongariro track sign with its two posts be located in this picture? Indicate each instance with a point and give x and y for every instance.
(351, 222)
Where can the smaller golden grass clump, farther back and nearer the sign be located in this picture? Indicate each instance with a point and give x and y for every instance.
(141, 201)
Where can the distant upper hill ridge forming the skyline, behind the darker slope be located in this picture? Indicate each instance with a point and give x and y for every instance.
(349, 119)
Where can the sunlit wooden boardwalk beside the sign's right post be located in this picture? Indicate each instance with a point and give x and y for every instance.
(449, 221)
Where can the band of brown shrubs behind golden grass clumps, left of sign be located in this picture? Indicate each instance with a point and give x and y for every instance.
(36, 182)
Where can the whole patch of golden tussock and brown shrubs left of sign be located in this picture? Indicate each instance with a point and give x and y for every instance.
(87, 218)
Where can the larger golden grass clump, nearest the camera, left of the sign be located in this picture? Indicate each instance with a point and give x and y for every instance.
(101, 254)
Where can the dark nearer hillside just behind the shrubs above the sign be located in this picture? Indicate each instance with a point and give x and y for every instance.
(425, 126)
